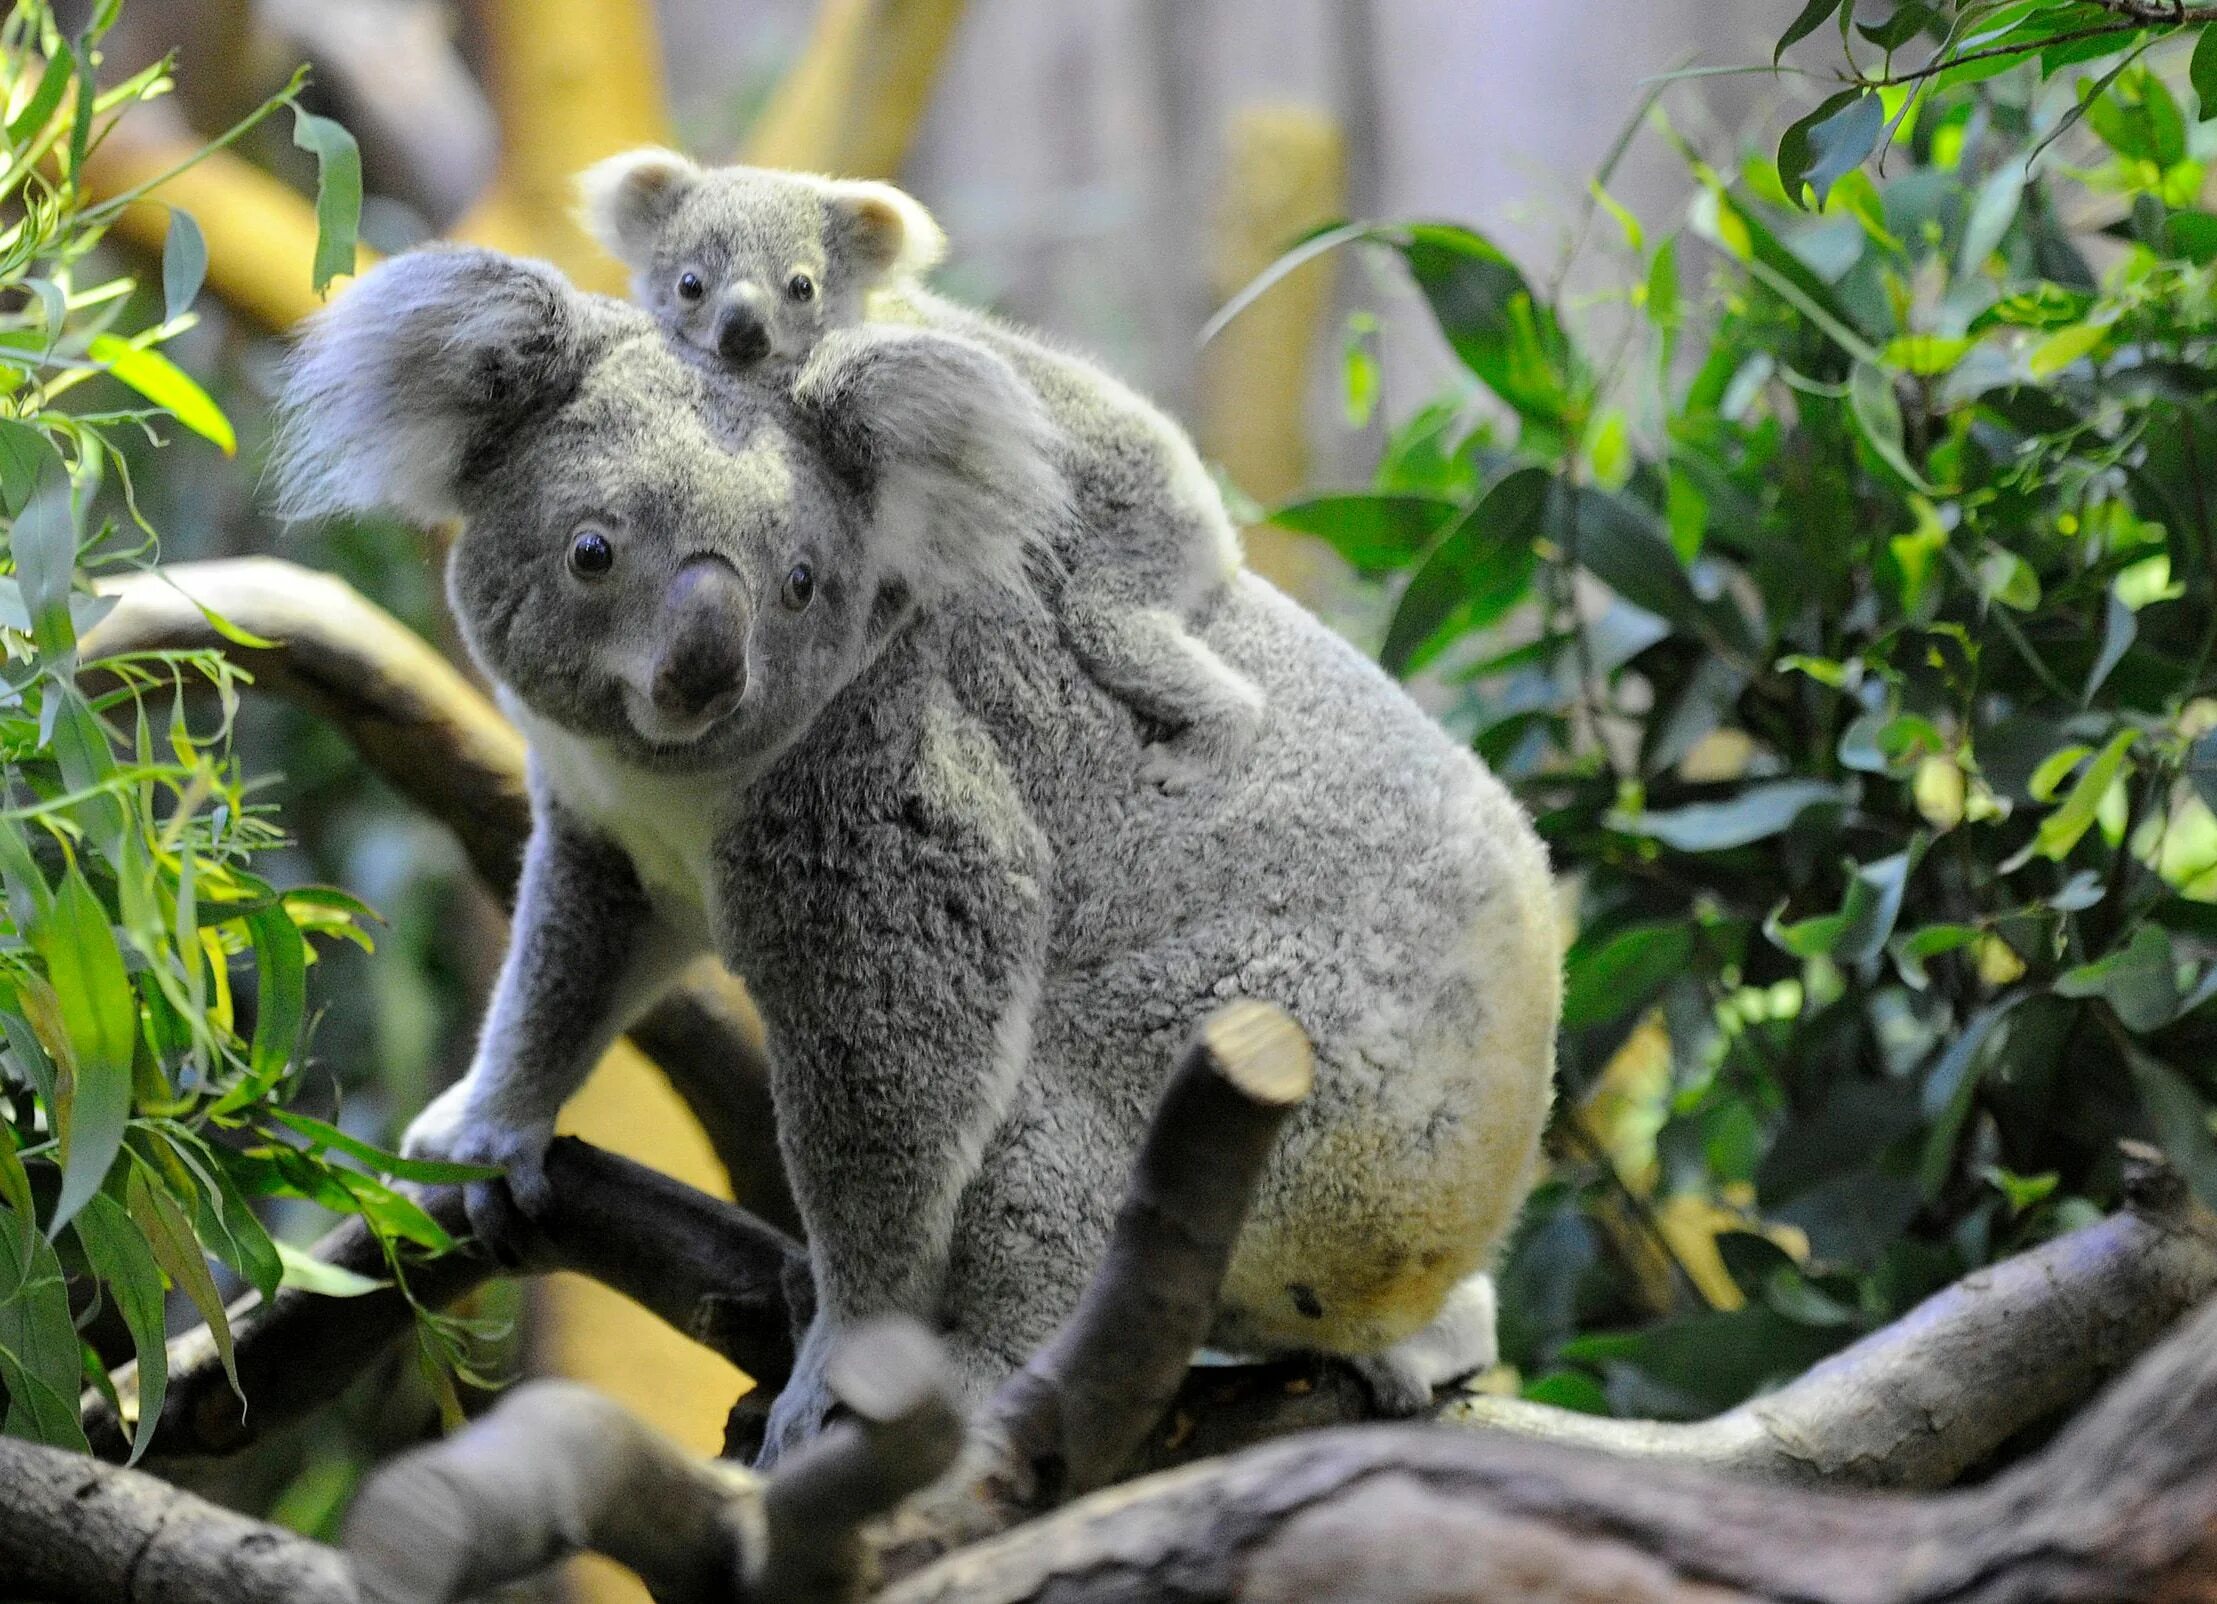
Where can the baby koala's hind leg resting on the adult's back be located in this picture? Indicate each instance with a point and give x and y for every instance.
(1150, 661)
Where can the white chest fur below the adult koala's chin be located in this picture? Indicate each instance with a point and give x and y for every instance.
(666, 823)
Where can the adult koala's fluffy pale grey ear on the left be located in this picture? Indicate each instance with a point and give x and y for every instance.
(411, 369)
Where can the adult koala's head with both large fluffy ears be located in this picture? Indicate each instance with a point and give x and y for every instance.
(682, 562)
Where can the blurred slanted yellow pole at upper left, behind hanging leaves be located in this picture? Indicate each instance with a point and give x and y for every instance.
(260, 229)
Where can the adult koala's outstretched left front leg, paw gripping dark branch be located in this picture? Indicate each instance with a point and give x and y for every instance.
(586, 956)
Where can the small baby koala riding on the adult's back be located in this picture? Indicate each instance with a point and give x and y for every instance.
(757, 265)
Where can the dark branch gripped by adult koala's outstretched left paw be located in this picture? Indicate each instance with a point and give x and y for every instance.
(704, 1266)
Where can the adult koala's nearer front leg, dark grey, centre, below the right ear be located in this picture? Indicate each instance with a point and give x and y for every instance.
(897, 983)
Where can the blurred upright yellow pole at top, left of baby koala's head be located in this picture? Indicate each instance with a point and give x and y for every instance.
(571, 81)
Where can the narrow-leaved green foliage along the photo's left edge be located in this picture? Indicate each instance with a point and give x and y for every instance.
(154, 989)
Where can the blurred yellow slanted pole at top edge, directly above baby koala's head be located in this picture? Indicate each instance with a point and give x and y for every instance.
(855, 99)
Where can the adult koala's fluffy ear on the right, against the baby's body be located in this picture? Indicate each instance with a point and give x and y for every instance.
(957, 451)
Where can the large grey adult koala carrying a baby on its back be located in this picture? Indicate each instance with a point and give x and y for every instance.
(795, 692)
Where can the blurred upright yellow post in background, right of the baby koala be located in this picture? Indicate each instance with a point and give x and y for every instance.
(1285, 172)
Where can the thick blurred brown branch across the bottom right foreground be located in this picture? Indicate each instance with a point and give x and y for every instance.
(2125, 1505)
